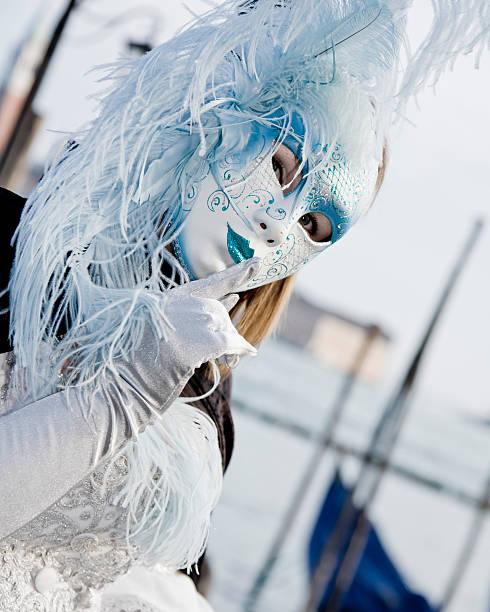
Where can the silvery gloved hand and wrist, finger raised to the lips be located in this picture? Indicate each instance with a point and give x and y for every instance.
(198, 329)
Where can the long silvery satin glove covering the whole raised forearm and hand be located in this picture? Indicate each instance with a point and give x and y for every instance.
(53, 443)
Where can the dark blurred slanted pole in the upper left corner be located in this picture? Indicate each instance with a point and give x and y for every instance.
(9, 155)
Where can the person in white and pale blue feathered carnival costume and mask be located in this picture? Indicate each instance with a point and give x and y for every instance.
(219, 164)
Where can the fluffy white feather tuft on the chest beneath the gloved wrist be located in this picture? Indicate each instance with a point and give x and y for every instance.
(174, 482)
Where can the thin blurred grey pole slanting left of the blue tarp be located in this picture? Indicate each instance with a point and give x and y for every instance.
(309, 473)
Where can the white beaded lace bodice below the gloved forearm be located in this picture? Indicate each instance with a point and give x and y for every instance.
(59, 560)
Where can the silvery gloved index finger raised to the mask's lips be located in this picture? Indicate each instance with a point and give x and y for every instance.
(227, 281)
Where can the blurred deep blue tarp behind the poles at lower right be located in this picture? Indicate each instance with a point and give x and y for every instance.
(377, 584)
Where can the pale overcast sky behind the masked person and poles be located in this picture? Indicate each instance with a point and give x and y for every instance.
(390, 269)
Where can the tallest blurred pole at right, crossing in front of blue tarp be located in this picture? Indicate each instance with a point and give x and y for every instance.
(354, 512)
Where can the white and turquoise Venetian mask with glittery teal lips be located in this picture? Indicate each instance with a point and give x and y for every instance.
(266, 202)
